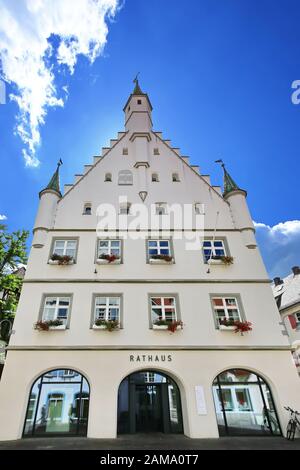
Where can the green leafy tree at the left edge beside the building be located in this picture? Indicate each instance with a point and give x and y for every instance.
(12, 254)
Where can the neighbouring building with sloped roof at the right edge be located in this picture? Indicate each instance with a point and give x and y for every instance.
(287, 295)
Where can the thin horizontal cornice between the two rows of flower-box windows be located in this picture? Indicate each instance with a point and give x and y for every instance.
(146, 281)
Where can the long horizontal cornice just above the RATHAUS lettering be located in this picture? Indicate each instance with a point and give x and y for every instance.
(149, 348)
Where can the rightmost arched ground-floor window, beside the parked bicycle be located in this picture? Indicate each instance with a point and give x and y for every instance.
(244, 404)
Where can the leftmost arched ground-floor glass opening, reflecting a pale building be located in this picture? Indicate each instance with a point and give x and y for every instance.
(58, 405)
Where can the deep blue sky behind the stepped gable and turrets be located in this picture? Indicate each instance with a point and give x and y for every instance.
(219, 75)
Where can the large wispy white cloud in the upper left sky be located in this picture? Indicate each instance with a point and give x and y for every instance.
(26, 53)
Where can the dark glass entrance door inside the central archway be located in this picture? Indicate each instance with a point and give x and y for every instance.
(148, 408)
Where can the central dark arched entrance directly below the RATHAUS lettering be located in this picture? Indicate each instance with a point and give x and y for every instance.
(149, 401)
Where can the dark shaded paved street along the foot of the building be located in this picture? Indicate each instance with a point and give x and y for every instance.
(152, 442)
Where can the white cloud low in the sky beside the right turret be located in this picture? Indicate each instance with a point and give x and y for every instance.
(279, 245)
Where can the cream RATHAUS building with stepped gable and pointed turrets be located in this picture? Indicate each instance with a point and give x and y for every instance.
(203, 380)
